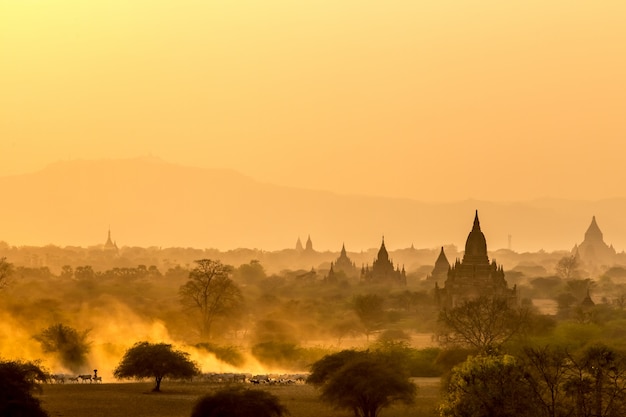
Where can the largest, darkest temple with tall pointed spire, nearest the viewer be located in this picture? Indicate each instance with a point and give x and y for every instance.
(474, 276)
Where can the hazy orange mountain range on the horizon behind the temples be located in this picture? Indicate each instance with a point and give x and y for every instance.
(148, 202)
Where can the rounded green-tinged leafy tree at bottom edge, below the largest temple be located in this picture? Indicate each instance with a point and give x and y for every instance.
(485, 386)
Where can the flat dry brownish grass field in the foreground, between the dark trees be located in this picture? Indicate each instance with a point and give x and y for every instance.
(177, 400)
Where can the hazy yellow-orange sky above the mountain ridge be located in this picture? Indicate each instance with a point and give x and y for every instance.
(436, 100)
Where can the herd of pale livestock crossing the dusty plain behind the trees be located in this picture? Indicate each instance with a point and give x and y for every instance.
(213, 378)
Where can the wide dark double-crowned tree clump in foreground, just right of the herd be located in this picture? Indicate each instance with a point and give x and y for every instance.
(364, 382)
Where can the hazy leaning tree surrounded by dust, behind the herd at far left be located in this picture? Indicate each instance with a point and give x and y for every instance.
(71, 345)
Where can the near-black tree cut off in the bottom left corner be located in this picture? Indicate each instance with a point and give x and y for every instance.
(17, 380)
